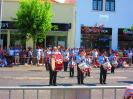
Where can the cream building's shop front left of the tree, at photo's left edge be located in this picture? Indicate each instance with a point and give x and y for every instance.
(10, 36)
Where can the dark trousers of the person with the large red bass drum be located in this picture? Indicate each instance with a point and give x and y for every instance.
(53, 75)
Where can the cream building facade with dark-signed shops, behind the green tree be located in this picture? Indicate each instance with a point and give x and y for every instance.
(63, 17)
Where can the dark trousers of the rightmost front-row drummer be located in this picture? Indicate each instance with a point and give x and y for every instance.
(103, 74)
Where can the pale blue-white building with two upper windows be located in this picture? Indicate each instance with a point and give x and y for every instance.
(115, 14)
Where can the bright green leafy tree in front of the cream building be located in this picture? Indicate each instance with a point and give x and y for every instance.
(34, 19)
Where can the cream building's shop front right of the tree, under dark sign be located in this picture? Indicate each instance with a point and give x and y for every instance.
(58, 36)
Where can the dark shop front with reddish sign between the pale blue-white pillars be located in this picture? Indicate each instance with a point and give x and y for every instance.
(96, 37)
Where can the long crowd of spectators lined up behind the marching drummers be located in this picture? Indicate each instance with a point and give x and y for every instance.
(16, 55)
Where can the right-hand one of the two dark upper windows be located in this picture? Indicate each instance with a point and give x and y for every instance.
(110, 5)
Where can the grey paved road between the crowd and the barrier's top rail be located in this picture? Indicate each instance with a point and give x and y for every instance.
(33, 75)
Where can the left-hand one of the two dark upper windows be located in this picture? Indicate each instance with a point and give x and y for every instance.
(98, 5)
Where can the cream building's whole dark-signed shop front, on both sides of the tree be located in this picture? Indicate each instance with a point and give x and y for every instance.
(11, 36)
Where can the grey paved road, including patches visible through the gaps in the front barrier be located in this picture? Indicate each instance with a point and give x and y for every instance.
(38, 76)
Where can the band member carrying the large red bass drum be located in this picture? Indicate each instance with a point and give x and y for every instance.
(56, 65)
